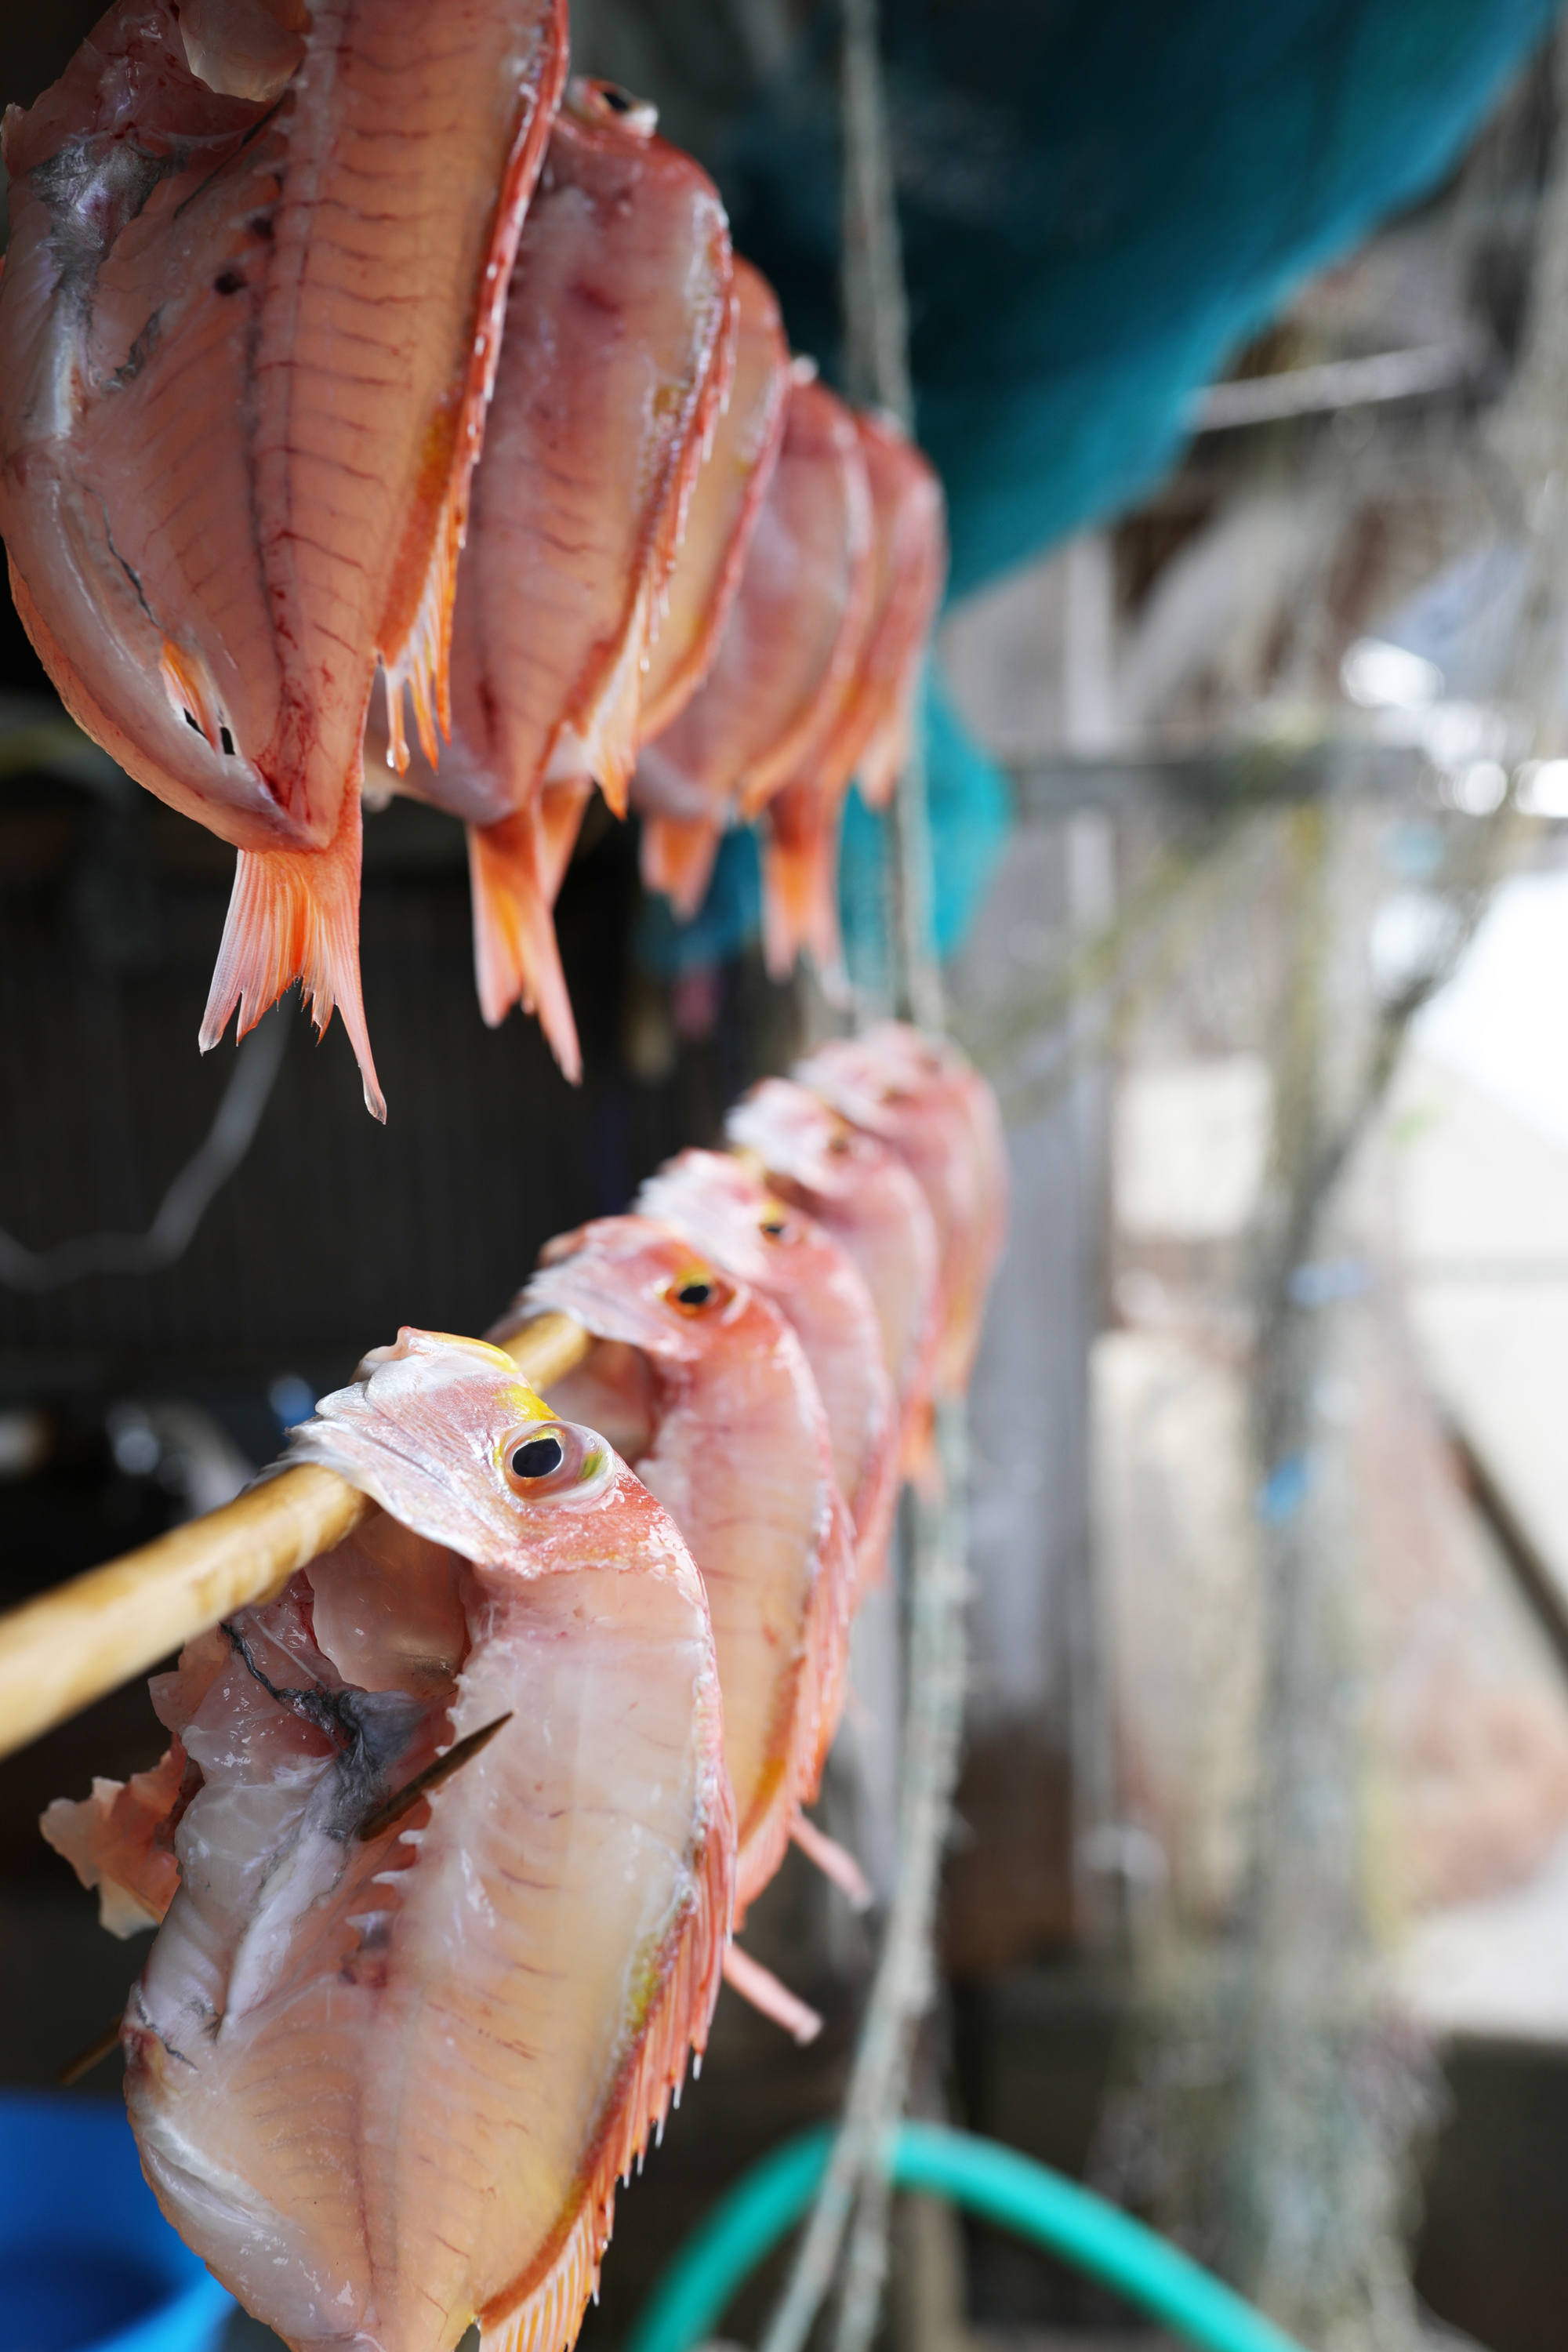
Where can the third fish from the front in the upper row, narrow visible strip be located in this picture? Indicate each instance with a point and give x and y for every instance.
(725, 507)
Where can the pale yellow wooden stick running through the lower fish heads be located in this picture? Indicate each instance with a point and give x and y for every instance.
(91, 1636)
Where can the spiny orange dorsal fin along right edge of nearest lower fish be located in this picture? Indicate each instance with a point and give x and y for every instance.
(542, 2313)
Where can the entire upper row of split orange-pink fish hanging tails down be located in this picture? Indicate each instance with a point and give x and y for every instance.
(356, 342)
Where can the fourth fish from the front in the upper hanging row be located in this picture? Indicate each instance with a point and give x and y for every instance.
(786, 655)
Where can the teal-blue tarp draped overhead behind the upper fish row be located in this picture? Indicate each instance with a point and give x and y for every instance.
(1099, 203)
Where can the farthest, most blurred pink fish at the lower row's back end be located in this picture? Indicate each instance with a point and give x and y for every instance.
(925, 1102)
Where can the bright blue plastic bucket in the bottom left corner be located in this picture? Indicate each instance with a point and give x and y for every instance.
(88, 2264)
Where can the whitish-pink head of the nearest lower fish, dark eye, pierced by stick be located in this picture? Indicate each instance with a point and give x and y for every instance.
(450, 1441)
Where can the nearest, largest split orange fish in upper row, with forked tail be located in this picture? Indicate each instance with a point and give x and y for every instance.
(248, 328)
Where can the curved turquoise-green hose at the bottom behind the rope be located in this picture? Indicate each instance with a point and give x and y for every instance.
(981, 2177)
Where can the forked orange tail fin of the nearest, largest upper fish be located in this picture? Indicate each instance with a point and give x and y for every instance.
(295, 916)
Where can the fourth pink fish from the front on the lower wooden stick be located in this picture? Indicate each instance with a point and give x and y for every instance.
(876, 1212)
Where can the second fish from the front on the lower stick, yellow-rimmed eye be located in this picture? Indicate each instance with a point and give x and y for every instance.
(706, 1391)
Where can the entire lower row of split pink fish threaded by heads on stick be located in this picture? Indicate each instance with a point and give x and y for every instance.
(453, 1836)
